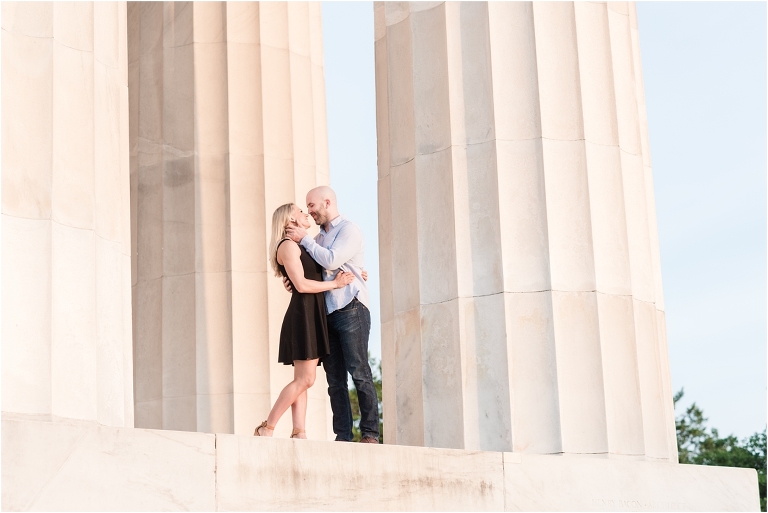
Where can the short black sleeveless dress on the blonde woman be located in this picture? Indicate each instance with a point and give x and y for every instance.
(304, 334)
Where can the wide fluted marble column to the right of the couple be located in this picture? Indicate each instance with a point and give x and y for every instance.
(521, 288)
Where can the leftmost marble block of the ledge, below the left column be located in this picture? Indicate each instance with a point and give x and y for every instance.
(71, 466)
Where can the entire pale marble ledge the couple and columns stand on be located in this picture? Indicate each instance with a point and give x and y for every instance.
(73, 465)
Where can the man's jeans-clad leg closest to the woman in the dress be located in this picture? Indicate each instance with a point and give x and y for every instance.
(336, 374)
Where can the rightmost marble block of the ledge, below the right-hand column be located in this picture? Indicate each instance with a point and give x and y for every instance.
(573, 483)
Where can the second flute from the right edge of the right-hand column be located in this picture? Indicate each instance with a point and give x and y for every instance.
(609, 231)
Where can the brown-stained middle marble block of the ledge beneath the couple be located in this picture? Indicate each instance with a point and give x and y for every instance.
(289, 475)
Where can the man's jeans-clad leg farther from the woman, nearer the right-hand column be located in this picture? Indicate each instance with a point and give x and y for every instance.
(353, 331)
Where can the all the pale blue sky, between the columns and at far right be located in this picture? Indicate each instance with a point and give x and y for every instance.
(704, 67)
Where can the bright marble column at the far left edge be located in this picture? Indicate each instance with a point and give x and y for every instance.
(66, 266)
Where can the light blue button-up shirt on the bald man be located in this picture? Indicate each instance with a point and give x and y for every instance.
(342, 247)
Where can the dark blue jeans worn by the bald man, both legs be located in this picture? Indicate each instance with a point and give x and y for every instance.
(348, 330)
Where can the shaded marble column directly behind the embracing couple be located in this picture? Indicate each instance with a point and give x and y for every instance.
(227, 122)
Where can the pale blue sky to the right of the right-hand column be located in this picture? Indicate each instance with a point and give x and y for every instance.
(704, 67)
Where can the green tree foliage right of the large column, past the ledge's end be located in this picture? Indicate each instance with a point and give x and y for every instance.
(697, 446)
